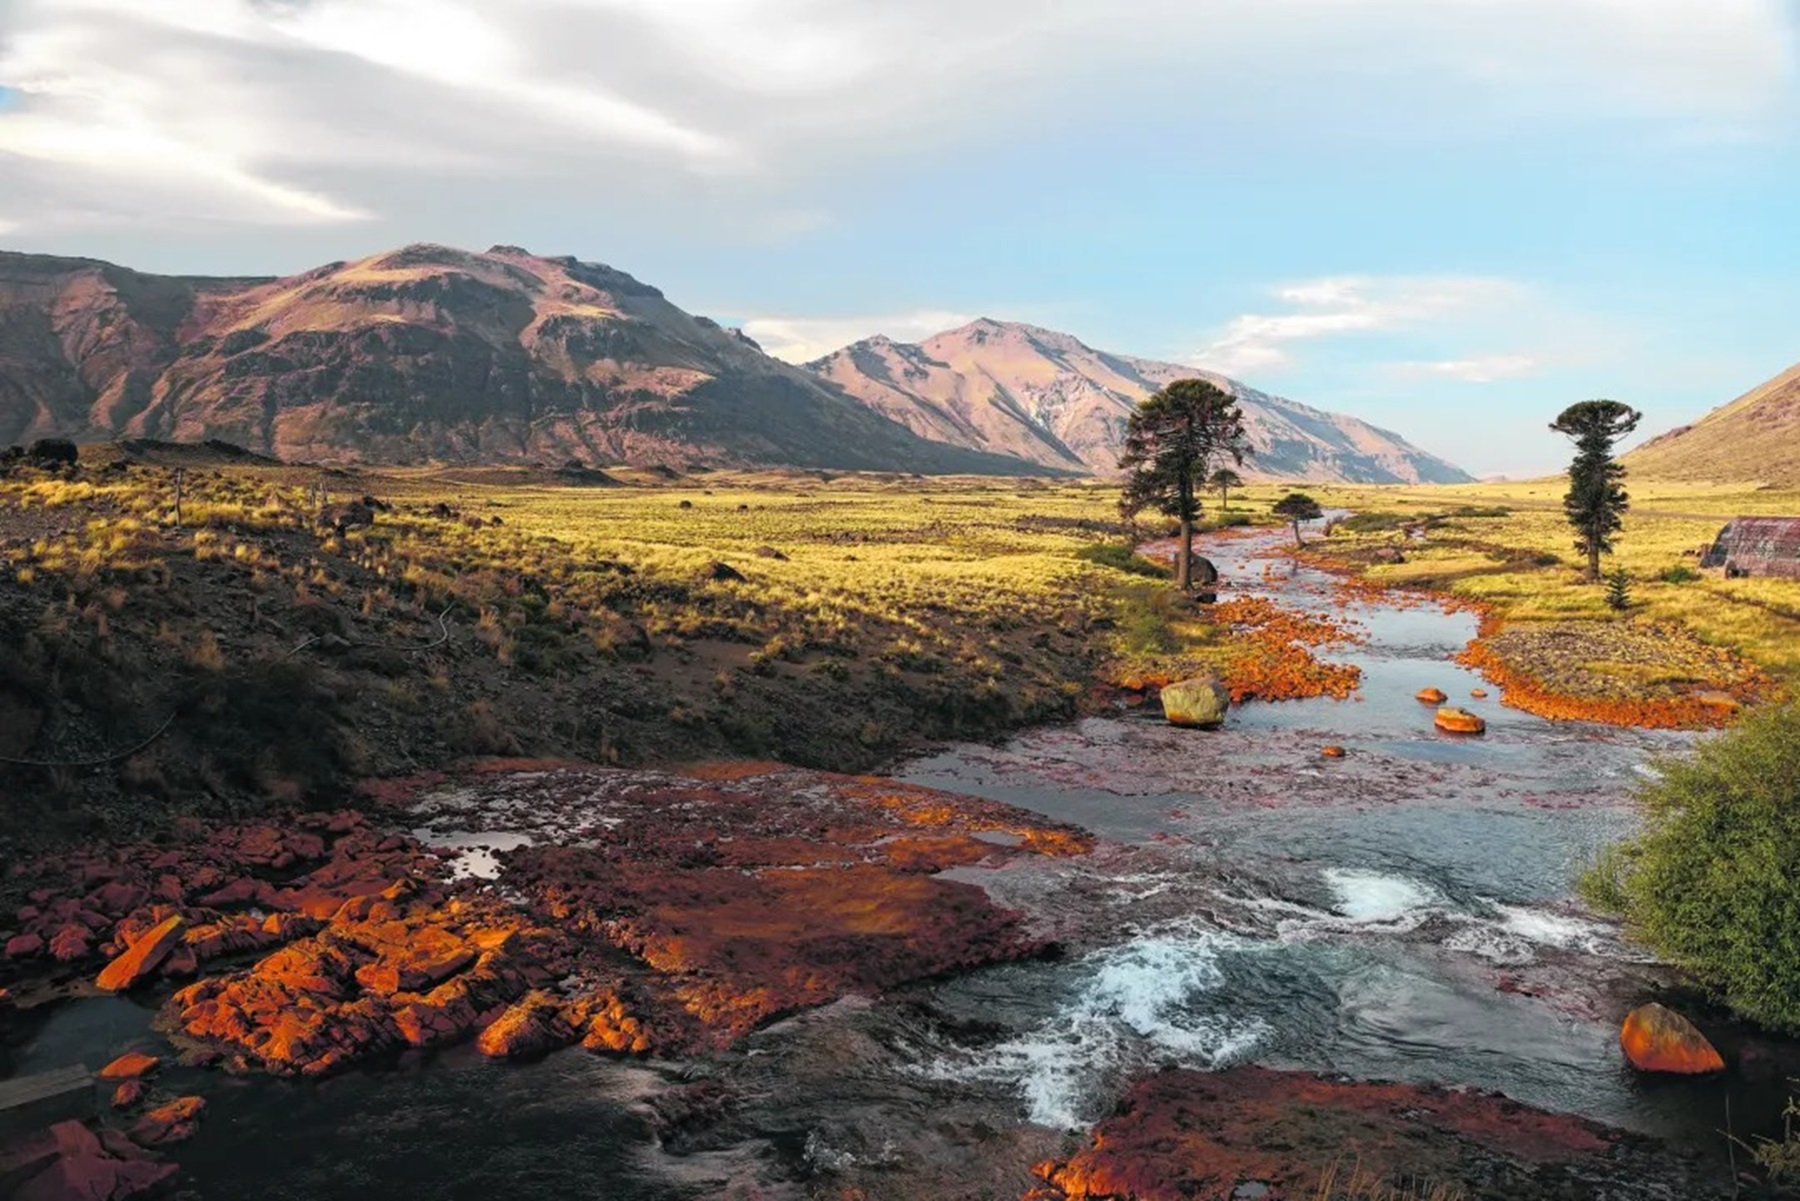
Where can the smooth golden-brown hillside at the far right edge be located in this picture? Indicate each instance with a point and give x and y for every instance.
(1752, 440)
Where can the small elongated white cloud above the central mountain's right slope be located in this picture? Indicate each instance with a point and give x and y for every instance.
(1344, 305)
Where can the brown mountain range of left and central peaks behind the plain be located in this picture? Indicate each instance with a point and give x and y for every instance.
(442, 356)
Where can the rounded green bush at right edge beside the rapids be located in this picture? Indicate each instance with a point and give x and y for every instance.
(1711, 883)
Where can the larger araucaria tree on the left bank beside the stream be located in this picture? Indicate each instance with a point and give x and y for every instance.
(1173, 440)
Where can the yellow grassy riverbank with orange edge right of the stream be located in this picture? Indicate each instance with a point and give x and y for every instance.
(1687, 651)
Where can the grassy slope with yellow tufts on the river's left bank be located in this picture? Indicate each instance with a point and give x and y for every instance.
(292, 631)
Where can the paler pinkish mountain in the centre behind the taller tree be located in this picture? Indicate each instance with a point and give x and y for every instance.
(1052, 399)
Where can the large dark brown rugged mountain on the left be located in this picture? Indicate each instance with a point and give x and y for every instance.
(424, 354)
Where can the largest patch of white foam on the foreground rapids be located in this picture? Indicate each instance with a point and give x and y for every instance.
(1135, 1007)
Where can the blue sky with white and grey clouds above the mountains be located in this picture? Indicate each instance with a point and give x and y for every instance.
(1446, 217)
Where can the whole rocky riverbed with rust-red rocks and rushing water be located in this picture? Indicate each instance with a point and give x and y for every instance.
(1099, 961)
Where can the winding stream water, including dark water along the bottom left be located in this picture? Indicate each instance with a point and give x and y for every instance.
(1401, 914)
